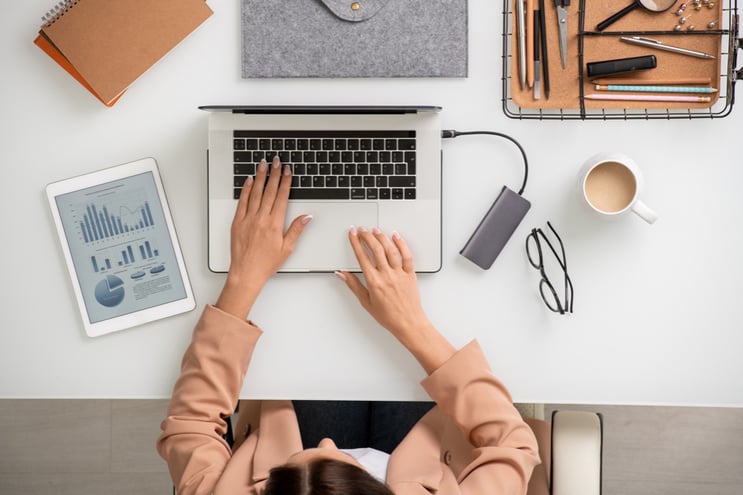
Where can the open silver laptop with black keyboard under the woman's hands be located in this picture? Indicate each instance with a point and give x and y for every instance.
(363, 166)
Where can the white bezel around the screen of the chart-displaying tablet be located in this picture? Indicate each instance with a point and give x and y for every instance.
(100, 177)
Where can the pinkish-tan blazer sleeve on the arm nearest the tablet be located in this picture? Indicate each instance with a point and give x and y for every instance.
(212, 374)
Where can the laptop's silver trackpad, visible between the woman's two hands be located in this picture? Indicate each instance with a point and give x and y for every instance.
(324, 244)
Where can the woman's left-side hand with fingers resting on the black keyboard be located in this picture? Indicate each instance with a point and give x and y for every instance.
(258, 244)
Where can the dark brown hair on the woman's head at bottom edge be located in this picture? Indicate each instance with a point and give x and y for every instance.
(323, 477)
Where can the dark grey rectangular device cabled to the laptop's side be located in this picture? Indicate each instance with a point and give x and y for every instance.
(496, 228)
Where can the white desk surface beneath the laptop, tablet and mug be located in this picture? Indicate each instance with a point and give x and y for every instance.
(657, 313)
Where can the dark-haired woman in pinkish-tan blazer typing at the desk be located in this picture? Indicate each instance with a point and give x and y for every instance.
(474, 441)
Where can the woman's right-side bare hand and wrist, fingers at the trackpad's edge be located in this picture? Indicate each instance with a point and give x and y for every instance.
(391, 294)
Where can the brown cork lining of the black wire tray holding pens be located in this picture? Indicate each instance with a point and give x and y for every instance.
(695, 28)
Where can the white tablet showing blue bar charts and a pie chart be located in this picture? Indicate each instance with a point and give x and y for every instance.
(120, 247)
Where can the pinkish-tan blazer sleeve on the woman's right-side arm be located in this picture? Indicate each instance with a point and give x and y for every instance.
(505, 450)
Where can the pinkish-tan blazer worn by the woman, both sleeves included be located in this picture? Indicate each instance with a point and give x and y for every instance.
(473, 442)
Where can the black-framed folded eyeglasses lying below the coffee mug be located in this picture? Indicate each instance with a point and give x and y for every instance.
(546, 288)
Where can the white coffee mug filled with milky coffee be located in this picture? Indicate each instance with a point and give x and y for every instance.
(610, 184)
